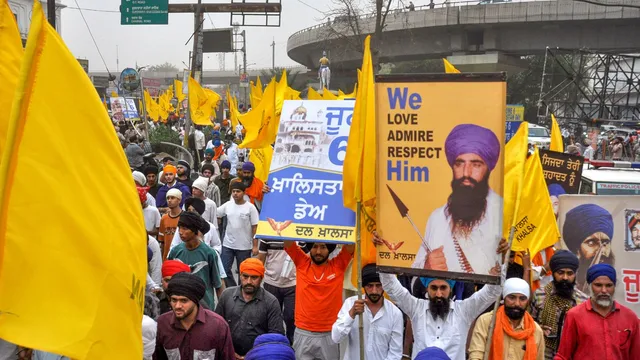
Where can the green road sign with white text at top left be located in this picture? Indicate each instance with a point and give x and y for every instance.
(144, 12)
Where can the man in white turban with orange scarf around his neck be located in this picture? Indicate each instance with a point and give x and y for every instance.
(515, 333)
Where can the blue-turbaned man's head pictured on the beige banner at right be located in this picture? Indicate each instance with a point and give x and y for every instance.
(587, 232)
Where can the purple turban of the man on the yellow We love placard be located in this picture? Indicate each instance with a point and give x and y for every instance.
(472, 139)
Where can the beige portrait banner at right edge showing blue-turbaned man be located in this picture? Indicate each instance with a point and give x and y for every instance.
(604, 229)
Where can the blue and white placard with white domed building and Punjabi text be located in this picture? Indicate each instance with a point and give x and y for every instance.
(305, 202)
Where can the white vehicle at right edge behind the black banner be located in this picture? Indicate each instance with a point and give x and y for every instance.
(603, 177)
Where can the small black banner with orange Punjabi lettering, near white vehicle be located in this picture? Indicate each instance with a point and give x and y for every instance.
(562, 169)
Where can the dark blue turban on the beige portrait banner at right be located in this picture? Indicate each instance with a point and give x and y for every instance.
(584, 221)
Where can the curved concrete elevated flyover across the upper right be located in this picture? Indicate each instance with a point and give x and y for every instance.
(482, 37)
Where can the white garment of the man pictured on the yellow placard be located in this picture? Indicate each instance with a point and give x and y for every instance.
(479, 248)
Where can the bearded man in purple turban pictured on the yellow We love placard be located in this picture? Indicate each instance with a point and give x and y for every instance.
(473, 210)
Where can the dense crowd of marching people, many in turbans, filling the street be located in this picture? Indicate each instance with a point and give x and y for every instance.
(286, 299)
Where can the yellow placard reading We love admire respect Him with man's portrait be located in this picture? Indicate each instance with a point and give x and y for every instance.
(440, 174)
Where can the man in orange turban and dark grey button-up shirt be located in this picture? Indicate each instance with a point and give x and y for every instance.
(249, 310)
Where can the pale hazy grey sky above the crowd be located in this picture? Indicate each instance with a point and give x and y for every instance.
(157, 44)
